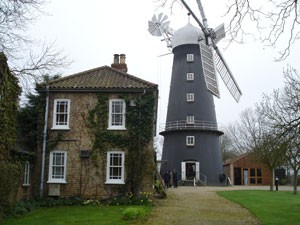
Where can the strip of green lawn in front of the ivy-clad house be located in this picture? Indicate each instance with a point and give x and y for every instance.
(76, 215)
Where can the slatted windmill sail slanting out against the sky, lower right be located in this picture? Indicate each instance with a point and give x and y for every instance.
(226, 75)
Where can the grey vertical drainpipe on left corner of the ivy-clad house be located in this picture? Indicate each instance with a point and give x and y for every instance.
(44, 142)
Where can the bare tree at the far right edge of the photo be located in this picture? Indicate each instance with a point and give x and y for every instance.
(282, 110)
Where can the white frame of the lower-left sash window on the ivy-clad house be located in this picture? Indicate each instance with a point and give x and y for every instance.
(51, 178)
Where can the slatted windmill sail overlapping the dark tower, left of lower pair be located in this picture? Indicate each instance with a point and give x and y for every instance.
(209, 69)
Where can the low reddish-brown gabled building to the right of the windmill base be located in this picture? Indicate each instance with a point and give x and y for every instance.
(246, 170)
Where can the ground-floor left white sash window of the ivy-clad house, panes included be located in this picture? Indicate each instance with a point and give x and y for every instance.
(57, 167)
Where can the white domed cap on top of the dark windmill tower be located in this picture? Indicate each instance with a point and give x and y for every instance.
(188, 34)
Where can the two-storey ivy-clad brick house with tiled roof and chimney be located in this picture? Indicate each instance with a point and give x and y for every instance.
(100, 129)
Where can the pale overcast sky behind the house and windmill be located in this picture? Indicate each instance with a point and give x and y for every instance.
(90, 32)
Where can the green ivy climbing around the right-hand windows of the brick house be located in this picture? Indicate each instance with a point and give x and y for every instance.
(140, 120)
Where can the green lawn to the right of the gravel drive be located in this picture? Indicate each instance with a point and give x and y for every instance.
(271, 208)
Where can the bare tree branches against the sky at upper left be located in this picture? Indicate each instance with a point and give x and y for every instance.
(15, 17)
